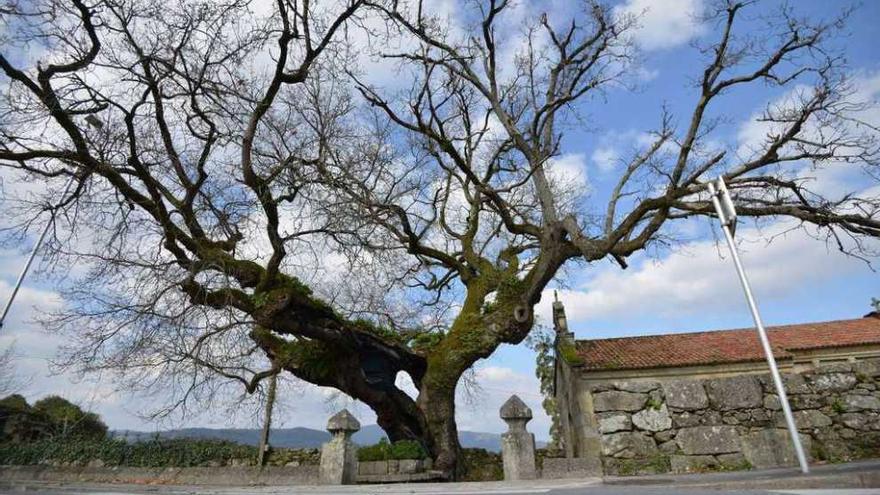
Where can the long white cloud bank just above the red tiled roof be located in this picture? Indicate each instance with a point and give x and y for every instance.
(699, 277)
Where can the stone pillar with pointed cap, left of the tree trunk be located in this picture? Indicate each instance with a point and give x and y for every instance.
(339, 455)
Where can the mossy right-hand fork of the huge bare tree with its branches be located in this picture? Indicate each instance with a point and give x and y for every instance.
(458, 171)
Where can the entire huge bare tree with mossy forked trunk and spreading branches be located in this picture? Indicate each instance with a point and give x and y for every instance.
(220, 158)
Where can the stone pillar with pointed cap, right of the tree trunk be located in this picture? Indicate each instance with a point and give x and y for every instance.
(517, 445)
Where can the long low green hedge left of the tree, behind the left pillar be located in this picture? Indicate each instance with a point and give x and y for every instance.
(156, 453)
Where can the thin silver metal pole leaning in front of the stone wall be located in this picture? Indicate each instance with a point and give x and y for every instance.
(762, 333)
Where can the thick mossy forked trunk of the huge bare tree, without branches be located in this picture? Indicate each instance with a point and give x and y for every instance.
(364, 367)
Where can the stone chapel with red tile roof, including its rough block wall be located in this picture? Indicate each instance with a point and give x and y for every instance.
(688, 402)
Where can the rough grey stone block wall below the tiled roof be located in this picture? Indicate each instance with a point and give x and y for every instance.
(736, 422)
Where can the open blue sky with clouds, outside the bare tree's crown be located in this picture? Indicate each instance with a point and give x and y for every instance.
(688, 288)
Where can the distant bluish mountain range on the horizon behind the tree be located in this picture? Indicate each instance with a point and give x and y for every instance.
(300, 438)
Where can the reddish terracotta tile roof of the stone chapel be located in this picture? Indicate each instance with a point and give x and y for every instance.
(723, 346)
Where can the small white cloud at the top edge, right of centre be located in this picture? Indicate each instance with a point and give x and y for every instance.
(664, 23)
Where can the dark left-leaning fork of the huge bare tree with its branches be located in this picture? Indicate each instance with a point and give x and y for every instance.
(194, 204)
